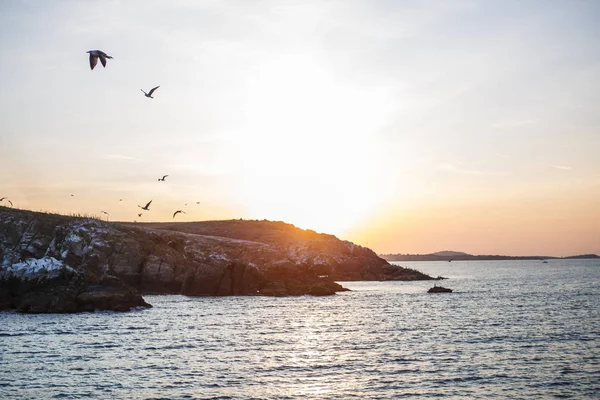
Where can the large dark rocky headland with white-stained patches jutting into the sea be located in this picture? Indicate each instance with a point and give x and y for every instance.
(55, 263)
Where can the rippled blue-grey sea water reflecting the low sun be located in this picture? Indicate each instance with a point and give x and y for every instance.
(511, 329)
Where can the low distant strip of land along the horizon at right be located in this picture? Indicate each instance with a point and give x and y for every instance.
(460, 256)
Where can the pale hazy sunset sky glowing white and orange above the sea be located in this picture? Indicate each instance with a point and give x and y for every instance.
(404, 126)
